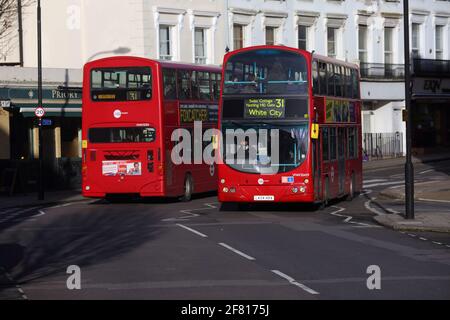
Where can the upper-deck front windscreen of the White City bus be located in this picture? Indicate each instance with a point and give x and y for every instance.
(266, 72)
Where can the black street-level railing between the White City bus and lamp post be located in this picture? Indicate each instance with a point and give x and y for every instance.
(382, 145)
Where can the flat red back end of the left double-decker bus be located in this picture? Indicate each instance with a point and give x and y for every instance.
(122, 128)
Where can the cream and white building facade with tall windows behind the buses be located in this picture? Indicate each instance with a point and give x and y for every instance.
(366, 32)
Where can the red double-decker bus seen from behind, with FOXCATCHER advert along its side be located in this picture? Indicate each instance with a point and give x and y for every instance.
(131, 106)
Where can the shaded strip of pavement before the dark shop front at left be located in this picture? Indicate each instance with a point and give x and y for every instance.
(31, 199)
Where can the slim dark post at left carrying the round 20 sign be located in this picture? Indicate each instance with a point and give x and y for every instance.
(41, 153)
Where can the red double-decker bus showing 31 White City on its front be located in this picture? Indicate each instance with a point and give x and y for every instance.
(311, 104)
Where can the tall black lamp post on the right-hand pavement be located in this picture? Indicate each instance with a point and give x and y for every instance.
(409, 169)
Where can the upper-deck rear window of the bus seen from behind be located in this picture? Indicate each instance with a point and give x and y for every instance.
(121, 84)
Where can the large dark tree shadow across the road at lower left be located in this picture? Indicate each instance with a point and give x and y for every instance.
(81, 238)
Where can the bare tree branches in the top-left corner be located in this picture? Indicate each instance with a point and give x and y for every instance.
(8, 22)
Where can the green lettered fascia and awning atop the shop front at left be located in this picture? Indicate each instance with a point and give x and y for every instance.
(56, 102)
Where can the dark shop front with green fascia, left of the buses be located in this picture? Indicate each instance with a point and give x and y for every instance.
(61, 136)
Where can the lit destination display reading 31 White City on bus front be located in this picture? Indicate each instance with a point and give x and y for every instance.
(265, 108)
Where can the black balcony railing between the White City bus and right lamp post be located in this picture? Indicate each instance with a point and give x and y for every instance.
(382, 71)
